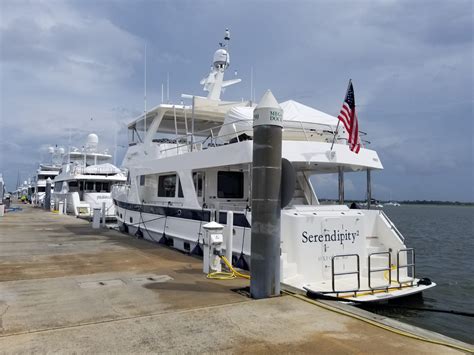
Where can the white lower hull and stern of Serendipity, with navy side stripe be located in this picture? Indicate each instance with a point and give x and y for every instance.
(305, 266)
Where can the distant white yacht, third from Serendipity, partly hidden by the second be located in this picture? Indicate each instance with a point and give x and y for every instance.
(46, 170)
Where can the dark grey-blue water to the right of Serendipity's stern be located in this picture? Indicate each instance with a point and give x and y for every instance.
(443, 237)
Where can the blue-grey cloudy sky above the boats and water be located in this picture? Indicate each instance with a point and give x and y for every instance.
(78, 66)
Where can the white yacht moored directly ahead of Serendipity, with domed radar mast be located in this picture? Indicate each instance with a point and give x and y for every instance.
(85, 180)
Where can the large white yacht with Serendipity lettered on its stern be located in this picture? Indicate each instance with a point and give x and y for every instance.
(190, 164)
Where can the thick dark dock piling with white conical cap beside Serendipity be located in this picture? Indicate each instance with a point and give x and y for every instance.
(266, 204)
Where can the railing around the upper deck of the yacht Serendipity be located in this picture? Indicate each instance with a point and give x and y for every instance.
(293, 130)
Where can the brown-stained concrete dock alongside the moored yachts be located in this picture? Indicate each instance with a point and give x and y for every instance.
(65, 287)
